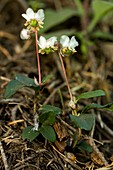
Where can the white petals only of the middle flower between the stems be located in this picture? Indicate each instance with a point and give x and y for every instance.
(43, 43)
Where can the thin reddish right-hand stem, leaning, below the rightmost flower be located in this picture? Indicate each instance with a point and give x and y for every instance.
(67, 83)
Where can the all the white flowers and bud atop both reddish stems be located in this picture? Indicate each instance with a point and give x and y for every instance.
(35, 21)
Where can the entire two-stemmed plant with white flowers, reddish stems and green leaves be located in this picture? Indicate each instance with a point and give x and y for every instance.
(44, 122)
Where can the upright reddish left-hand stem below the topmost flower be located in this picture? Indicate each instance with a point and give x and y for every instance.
(38, 58)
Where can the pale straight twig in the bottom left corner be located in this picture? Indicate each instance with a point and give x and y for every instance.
(4, 157)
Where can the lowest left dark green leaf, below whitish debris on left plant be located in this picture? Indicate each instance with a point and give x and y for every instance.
(29, 133)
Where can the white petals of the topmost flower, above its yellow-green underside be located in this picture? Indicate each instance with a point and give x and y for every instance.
(30, 14)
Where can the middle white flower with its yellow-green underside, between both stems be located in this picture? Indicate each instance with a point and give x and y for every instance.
(47, 46)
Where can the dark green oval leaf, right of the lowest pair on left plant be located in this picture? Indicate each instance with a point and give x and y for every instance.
(48, 133)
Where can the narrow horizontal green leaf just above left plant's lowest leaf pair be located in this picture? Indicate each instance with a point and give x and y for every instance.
(49, 108)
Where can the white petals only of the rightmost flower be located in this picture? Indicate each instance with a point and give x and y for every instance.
(68, 43)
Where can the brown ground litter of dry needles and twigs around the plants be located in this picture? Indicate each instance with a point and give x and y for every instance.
(95, 72)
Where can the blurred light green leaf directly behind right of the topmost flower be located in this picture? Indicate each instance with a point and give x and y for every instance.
(54, 18)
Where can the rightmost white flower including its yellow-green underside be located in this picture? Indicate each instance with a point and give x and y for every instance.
(68, 45)
